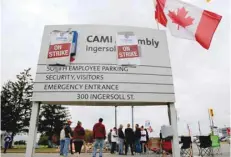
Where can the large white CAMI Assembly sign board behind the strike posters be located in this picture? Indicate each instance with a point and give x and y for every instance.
(93, 76)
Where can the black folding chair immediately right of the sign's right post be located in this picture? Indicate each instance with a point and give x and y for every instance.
(186, 148)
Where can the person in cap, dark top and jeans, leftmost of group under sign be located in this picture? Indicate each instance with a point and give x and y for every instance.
(67, 139)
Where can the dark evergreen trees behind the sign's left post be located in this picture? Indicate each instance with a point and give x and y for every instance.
(16, 109)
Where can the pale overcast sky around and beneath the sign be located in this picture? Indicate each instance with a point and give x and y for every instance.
(201, 77)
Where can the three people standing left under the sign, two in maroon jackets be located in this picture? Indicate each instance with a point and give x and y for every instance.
(67, 137)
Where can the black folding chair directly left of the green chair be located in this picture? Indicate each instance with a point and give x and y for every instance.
(205, 147)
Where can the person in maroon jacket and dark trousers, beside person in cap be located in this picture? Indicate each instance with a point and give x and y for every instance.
(78, 138)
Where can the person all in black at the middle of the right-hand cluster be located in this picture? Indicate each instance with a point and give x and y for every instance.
(129, 138)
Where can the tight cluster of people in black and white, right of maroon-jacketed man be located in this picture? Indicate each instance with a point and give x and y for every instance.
(136, 140)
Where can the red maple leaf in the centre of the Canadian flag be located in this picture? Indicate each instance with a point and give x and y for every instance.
(179, 18)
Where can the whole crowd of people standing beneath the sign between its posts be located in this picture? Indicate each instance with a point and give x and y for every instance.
(136, 140)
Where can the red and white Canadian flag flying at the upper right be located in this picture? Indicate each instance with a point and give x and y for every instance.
(187, 21)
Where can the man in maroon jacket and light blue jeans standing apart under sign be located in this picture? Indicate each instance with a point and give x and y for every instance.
(99, 134)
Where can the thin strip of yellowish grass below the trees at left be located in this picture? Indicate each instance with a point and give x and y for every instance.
(39, 150)
